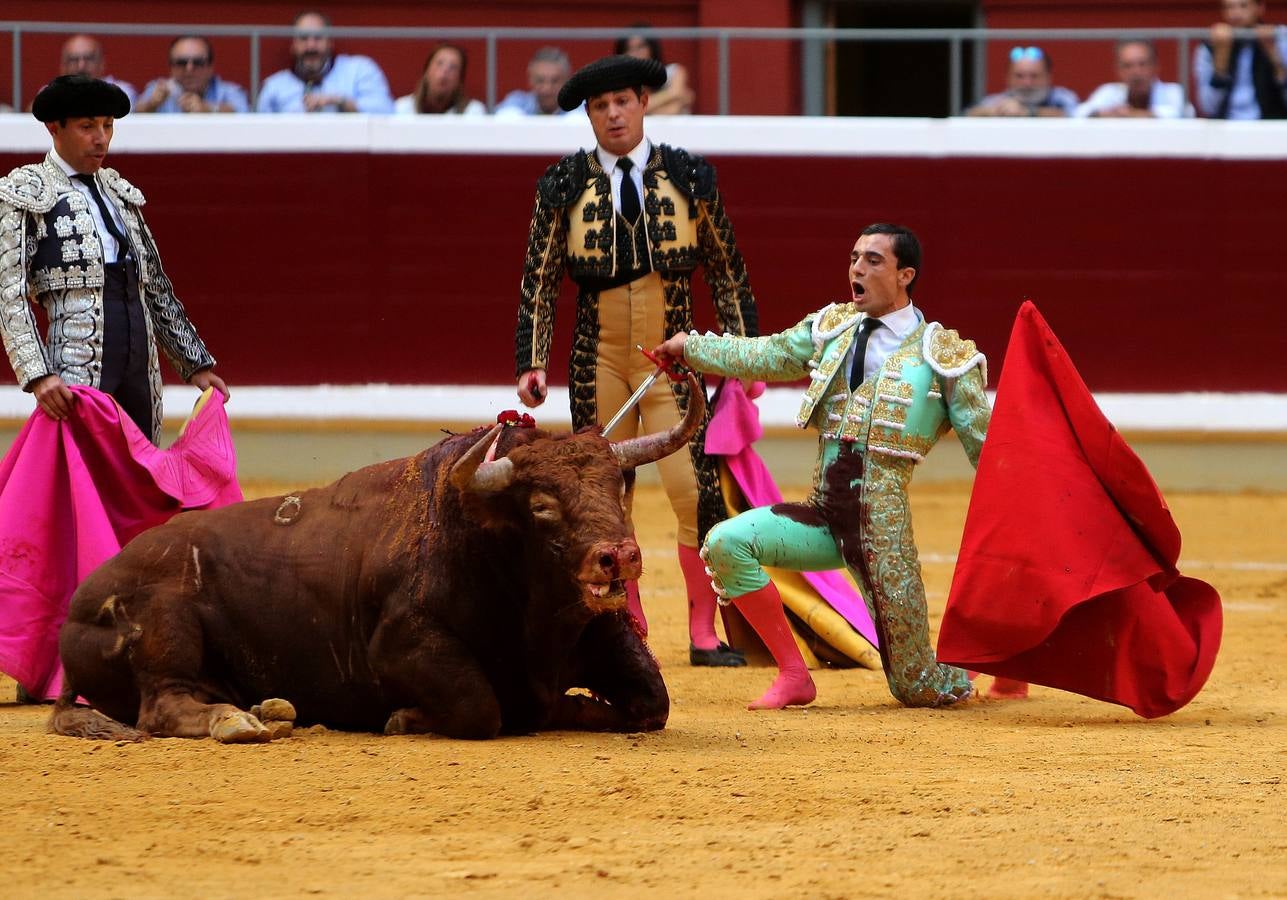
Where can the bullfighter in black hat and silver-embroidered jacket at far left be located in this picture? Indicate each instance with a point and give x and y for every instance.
(73, 239)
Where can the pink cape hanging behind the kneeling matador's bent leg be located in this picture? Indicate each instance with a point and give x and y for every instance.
(733, 431)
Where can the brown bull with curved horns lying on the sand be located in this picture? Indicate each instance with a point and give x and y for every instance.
(441, 593)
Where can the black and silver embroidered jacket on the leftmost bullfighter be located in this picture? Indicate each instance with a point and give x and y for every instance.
(51, 254)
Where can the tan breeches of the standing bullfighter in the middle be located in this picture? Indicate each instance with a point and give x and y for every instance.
(627, 316)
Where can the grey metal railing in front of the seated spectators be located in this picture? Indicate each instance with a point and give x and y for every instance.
(813, 77)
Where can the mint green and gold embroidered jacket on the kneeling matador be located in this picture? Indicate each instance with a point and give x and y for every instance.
(932, 382)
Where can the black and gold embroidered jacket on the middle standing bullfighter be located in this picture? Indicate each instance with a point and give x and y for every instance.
(576, 229)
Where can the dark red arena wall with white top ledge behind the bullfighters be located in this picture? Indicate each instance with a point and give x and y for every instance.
(403, 266)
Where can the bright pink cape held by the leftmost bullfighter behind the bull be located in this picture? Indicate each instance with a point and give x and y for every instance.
(73, 494)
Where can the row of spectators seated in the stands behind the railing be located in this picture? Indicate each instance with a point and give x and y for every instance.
(1235, 79)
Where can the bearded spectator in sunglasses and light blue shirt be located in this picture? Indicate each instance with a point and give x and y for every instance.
(320, 80)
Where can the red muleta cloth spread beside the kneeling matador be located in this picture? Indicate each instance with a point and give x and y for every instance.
(1068, 571)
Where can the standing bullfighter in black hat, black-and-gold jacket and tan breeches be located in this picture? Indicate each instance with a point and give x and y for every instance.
(630, 222)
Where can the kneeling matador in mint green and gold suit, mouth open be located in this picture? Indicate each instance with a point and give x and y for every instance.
(885, 386)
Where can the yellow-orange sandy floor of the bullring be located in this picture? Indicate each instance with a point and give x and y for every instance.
(1053, 796)
